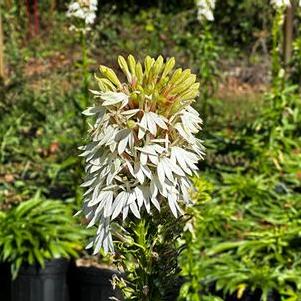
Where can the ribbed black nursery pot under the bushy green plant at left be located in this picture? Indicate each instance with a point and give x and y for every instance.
(36, 284)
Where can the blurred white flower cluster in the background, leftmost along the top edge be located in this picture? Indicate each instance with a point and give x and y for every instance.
(83, 9)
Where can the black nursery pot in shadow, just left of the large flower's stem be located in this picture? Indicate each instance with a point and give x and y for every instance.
(91, 283)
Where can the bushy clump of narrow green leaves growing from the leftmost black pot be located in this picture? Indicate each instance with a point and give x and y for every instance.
(38, 230)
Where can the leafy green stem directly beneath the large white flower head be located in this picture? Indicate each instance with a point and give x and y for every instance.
(147, 251)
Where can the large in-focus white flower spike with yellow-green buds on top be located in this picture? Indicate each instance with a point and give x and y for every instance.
(143, 146)
